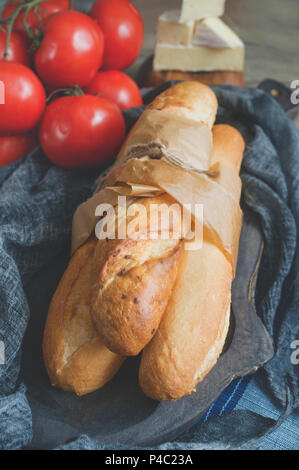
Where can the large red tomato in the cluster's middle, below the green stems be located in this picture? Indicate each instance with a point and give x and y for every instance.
(71, 51)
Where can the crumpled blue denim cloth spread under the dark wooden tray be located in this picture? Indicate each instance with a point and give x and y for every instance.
(37, 201)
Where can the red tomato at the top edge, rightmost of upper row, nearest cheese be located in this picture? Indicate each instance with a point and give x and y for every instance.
(123, 31)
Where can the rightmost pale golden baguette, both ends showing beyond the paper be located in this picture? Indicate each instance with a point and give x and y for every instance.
(195, 324)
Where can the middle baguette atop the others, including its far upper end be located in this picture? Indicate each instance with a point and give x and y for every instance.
(134, 278)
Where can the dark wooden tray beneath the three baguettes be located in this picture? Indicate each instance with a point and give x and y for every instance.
(120, 412)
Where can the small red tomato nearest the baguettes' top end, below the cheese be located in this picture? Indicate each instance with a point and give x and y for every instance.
(116, 86)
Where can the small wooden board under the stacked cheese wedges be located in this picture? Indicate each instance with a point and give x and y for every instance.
(148, 78)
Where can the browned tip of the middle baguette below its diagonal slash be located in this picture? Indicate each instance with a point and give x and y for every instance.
(128, 312)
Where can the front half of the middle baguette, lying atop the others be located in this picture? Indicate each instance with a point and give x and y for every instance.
(133, 281)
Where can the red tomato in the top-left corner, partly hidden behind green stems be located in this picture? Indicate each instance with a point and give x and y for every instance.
(32, 21)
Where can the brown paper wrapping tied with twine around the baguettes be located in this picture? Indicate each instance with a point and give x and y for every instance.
(165, 153)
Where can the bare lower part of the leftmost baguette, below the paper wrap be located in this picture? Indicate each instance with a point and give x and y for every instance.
(75, 357)
